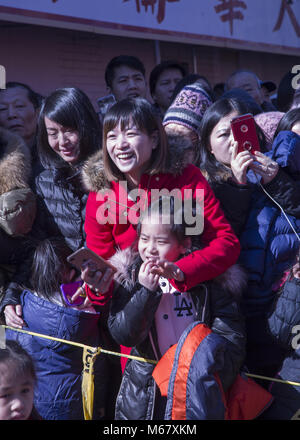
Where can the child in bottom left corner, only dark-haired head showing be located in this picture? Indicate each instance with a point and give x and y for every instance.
(17, 382)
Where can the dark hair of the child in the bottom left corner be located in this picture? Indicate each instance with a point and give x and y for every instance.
(18, 358)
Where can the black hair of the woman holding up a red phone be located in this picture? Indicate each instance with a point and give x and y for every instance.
(210, 166)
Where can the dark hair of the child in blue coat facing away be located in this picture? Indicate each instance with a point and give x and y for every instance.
(49, 267)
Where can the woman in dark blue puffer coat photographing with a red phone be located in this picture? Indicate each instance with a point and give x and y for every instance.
(244, 183)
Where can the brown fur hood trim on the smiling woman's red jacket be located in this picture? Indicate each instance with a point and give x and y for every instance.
(93, 174)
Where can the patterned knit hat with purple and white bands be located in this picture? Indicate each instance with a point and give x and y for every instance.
(188, 107)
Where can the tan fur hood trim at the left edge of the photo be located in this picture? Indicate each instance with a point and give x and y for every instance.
(15, 162)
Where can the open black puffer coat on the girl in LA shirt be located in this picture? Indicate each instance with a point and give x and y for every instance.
(131, 324)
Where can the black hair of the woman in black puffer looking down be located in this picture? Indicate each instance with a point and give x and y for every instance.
(69, 107)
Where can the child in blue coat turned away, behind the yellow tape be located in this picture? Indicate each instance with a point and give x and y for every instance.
(58, 393)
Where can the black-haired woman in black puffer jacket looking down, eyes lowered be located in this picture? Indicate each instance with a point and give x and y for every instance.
(68, 134)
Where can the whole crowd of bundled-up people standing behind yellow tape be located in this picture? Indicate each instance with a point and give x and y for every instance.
(203, 237)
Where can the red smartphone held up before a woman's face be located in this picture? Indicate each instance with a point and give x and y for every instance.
(244, 132)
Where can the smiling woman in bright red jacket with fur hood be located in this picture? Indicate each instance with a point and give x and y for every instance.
(122, 178)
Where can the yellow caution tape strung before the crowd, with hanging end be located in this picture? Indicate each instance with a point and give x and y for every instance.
(89, 357)
